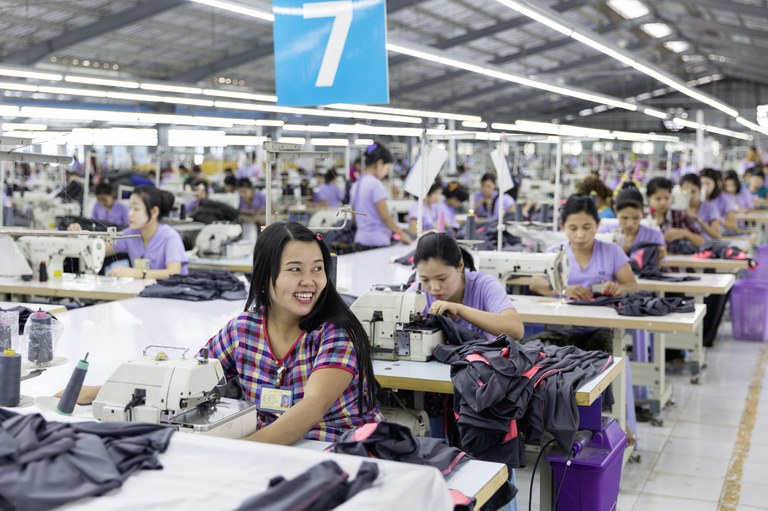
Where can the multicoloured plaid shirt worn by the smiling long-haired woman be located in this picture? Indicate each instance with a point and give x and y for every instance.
(243, 348)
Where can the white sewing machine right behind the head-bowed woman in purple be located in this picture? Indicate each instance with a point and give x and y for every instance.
(502, 265)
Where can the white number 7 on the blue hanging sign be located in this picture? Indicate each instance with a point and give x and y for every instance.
(341, 12)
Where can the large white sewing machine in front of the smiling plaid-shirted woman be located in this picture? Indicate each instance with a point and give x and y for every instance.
(179, 393)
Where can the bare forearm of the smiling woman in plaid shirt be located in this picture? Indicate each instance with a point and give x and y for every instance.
(324, 387)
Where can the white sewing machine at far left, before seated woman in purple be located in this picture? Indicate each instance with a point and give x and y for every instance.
(54, 249)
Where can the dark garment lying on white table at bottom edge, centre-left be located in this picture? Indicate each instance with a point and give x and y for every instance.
(321, 487)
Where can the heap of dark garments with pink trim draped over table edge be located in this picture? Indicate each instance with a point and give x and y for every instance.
(505, 391)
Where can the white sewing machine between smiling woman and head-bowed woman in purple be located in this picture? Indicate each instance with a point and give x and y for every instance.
(388, 316)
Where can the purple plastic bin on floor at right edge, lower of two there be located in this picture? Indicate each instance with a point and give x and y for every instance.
(749, 303)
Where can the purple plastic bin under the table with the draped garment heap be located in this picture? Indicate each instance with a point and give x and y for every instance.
(591, 483)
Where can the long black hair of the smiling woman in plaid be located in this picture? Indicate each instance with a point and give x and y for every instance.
(329, 307)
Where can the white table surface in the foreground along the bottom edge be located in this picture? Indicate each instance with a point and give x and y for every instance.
(204, 472)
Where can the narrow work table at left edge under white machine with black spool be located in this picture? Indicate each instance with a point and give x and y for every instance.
(92, 287)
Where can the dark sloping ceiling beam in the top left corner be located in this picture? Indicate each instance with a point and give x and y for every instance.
(39, 51)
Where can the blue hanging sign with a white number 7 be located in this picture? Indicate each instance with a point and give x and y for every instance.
(330, 52)
